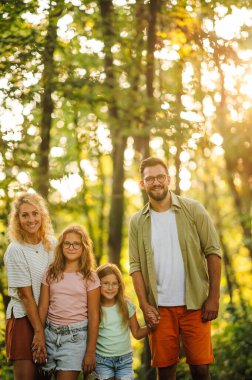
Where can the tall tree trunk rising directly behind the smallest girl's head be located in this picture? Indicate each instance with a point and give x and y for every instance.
(118, 140)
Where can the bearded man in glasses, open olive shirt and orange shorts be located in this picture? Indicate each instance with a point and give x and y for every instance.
(175, 266)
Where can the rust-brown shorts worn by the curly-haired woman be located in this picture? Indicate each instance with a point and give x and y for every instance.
(18, 338)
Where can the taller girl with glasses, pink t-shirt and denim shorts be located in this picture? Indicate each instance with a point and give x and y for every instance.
(69, 306)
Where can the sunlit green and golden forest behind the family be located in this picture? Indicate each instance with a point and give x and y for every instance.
(90, 88)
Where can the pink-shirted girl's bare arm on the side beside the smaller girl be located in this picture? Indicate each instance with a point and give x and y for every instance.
(89, 361)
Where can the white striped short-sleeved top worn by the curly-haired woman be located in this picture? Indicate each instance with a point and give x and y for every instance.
(25, 265)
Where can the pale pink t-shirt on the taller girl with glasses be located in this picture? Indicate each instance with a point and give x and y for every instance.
(68, 298)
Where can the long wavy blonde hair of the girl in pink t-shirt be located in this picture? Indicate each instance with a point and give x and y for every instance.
(86, 260)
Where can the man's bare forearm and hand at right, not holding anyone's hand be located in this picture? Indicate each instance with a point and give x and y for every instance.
(211, 305)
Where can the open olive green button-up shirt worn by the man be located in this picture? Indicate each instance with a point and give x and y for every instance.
(197, 239)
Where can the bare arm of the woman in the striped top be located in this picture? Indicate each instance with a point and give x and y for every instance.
(38, 344)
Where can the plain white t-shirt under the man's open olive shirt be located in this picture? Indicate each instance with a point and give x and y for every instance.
(168, 259)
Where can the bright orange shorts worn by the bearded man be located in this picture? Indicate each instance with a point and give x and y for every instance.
(196, 337)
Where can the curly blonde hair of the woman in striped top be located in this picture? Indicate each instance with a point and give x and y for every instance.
(15, 231)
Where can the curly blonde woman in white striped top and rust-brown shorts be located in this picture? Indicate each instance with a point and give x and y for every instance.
(26, 258)
